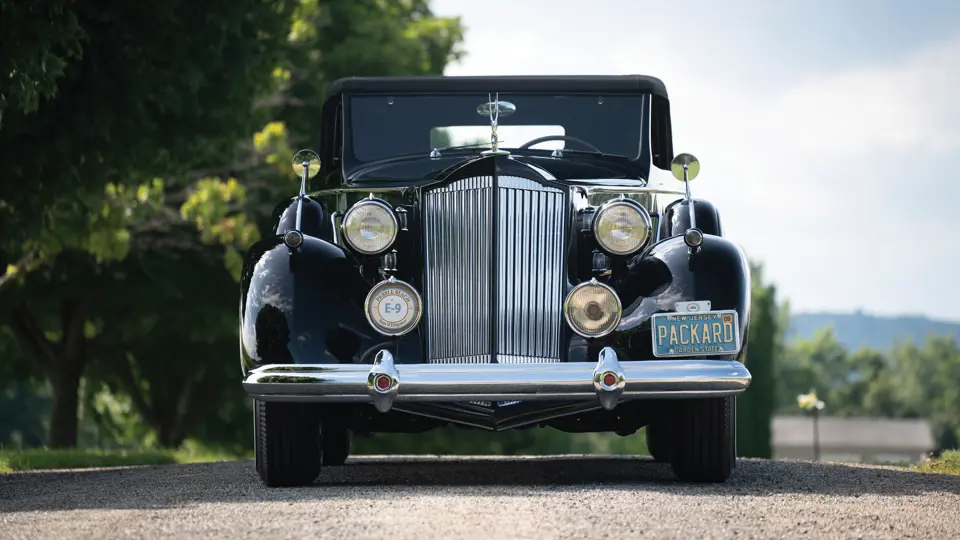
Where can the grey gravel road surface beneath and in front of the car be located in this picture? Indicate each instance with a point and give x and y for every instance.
(495, 498)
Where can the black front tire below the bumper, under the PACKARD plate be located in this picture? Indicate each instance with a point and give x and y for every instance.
(704, 440)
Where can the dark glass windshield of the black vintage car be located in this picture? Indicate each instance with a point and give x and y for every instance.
(382, 127)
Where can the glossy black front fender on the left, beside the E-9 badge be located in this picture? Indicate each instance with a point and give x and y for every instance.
(306, 306)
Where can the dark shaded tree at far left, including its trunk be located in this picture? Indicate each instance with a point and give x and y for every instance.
(148, 89)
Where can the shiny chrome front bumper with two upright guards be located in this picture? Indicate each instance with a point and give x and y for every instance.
(609, 380)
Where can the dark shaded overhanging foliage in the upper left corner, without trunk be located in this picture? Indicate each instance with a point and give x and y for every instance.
(135, 91)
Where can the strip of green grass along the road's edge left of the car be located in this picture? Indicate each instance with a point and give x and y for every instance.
(41, 458)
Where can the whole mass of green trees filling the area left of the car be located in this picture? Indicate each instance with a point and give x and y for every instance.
(143, 166)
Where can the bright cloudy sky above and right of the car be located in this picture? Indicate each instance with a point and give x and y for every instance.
(828, 131)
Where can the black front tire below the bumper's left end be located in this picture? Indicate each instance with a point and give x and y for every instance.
(287, 443)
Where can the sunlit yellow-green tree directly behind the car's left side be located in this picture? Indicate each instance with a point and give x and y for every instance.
(229, 208)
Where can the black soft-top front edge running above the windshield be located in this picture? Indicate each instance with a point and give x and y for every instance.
(608, 84)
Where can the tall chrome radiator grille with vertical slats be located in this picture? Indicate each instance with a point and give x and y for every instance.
(465, 295)
